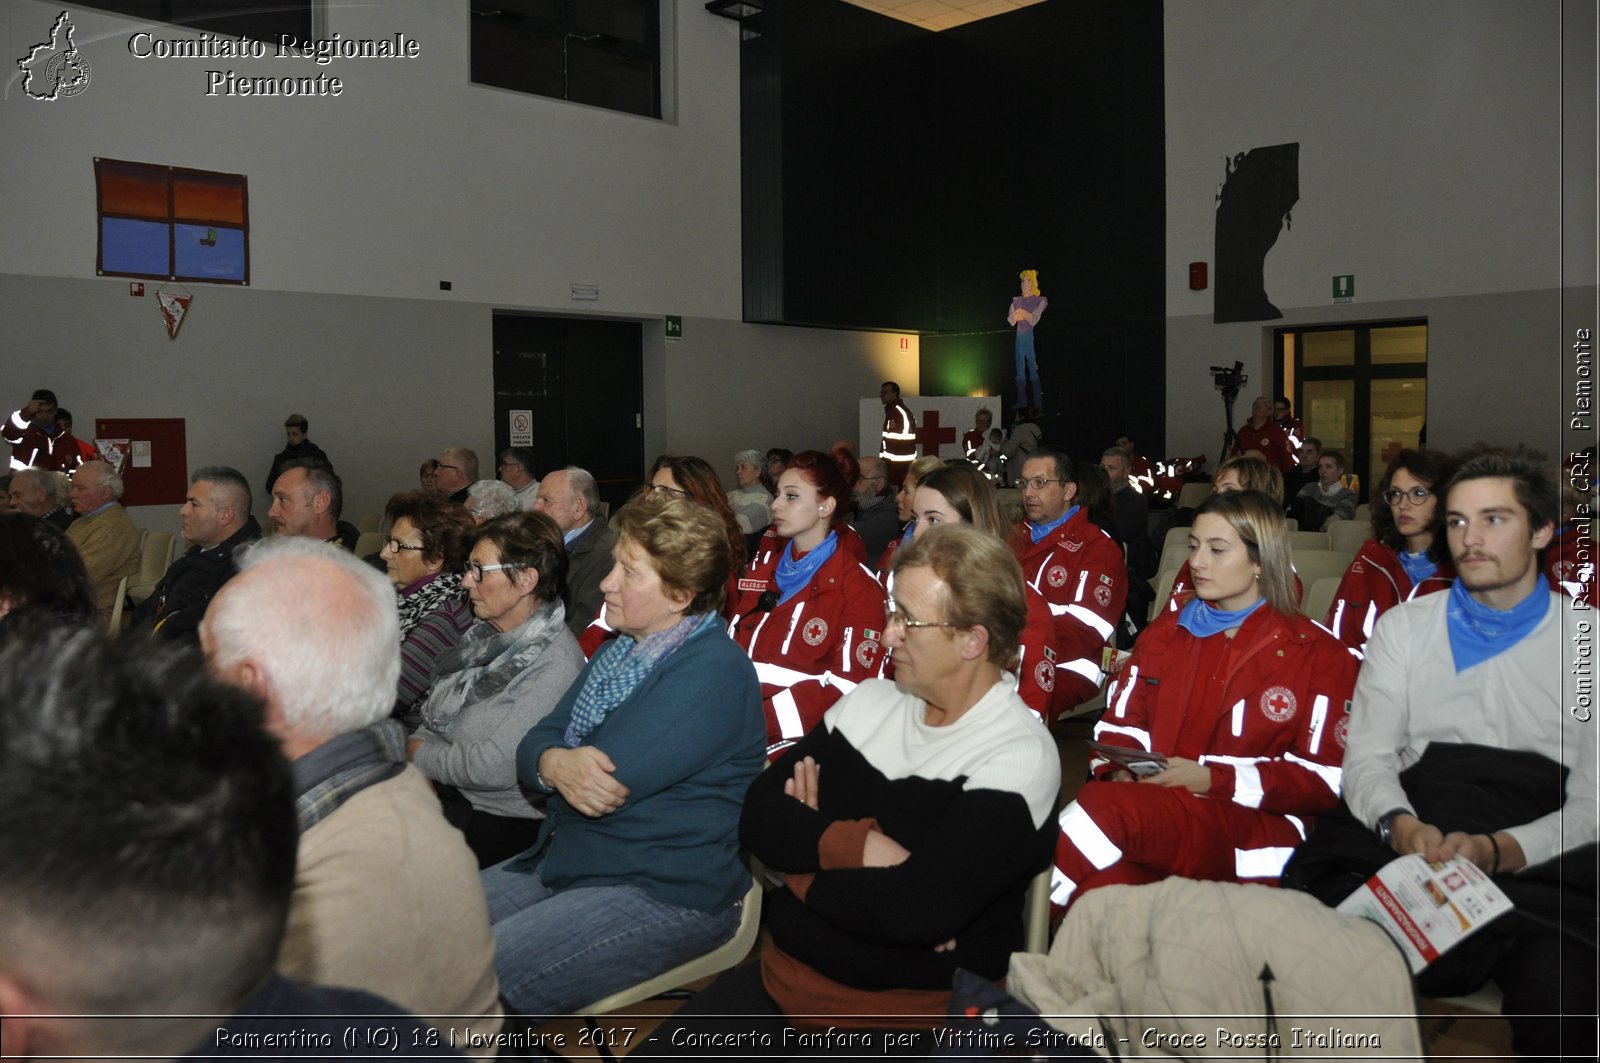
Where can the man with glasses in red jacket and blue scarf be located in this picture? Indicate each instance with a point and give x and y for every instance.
(1078, 569)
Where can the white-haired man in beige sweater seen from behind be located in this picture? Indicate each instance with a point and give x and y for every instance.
(386, 893)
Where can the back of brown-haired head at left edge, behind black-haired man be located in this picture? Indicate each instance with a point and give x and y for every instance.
(42, 579)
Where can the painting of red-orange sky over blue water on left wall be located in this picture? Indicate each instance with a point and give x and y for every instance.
(172, 225)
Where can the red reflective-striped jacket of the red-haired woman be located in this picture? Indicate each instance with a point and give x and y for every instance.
(815, 648)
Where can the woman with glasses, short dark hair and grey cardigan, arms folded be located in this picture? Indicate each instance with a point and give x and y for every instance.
(503, 678)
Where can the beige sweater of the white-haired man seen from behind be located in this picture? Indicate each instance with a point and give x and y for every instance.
(388, 899)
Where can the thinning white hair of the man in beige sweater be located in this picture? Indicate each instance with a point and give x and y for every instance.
(324, 628)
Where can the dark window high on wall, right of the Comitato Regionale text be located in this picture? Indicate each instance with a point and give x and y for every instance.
(606, 54)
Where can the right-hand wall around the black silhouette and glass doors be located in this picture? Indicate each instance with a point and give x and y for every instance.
(1434, 166)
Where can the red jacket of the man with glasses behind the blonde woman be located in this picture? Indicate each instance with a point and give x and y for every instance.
(1081, 574)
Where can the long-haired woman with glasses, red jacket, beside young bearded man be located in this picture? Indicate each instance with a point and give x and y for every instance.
(1401, 561)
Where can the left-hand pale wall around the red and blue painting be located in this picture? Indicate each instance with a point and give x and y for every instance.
(359, 207)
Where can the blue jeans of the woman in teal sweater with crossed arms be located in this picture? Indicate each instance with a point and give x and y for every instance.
(559, 952)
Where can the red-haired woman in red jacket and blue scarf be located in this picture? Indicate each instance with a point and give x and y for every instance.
(809, 614)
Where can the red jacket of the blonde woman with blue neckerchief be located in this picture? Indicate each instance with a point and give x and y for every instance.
(1266, 712)
